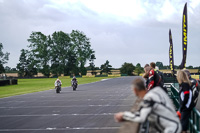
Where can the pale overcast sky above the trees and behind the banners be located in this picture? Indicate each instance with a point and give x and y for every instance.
(120, 30)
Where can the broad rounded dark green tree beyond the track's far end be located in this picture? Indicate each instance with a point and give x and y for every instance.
(127, 68)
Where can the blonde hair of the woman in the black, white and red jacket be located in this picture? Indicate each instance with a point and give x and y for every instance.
(182, 77)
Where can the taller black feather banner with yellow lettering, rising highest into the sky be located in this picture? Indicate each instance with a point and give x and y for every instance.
(184, 37)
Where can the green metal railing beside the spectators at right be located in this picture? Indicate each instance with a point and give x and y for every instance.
(195, 115)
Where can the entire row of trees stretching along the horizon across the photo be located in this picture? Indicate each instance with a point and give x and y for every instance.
(63, 53)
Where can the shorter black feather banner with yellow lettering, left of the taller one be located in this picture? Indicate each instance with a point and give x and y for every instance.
(171, 53)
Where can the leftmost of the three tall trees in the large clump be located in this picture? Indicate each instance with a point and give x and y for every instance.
(40, 48)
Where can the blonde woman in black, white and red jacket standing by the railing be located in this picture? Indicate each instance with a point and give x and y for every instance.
(185, 99)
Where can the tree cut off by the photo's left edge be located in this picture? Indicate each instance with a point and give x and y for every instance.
(4, 57)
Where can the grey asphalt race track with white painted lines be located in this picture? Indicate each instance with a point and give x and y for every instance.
(90, 109)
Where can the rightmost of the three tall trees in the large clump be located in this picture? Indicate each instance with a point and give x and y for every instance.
(82, 49)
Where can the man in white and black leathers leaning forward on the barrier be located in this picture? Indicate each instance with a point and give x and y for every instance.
(155, 106)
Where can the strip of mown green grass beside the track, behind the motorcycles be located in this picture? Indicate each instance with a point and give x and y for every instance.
(35, 85)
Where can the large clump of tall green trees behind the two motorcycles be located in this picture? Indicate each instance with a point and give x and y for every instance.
(59, 53)
